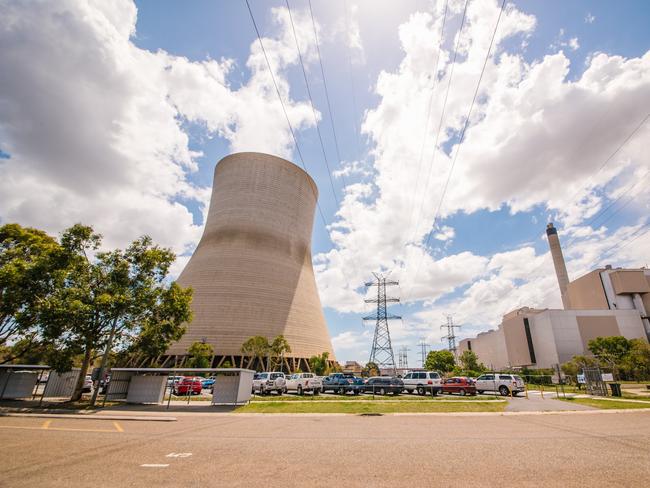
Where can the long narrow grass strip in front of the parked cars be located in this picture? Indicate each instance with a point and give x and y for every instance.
(371, 407)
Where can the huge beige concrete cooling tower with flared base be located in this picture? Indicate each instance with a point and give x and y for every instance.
(252, 272)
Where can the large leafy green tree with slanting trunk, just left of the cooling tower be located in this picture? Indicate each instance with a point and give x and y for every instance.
(107, 298)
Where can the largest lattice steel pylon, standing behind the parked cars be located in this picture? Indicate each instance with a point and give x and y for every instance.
(382, 348)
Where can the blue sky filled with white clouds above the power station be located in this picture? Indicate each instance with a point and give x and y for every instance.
(454, 132)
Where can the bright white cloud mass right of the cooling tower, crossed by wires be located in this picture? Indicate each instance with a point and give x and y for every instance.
(535, 139)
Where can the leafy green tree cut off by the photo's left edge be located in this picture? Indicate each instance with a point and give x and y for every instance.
(31, 267)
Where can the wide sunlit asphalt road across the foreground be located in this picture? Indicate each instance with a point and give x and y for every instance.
(579, 449)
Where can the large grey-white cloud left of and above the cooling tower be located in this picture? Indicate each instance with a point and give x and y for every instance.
(92, 124)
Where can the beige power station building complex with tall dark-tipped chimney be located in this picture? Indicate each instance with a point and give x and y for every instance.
(604, 302)
